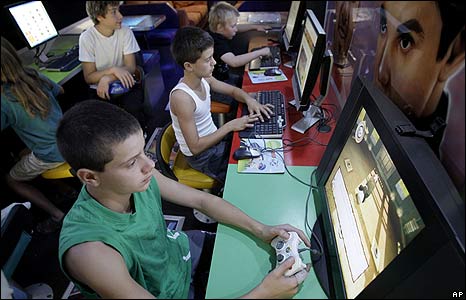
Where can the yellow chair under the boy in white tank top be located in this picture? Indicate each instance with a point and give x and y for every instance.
(180, 170)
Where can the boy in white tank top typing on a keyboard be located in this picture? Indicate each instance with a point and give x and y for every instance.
(200, 141)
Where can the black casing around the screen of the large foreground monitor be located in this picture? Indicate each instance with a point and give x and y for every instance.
(433, 193)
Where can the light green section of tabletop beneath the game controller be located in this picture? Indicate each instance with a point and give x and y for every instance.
(240, 261)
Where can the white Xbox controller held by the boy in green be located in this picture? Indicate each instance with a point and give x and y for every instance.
(287, 248)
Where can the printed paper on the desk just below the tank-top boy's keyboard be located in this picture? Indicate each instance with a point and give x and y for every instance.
(270, 162)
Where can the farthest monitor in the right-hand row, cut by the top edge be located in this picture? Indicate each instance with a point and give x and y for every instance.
(294, 24)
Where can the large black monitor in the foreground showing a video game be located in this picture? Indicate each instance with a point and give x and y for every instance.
(392, 221)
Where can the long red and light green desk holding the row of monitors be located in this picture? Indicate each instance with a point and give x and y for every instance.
(239, 260)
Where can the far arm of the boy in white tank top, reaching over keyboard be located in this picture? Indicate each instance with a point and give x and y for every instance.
(255, 109)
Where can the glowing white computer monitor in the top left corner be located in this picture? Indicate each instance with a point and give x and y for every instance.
(33, 22)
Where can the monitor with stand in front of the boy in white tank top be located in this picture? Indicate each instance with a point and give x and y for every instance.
(312, 59)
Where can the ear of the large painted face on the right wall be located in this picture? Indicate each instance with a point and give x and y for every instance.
(454, 57)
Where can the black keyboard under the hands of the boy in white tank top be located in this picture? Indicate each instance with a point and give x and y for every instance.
(270, 128)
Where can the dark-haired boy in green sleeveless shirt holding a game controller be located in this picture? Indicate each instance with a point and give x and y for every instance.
(114, 242)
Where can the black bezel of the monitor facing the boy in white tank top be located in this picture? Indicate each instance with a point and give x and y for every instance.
(303, 100)
